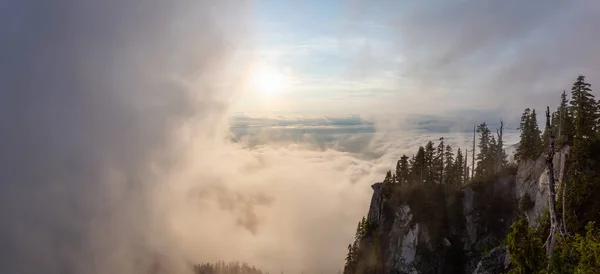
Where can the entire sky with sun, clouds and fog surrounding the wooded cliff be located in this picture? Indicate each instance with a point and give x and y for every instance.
(138, 132)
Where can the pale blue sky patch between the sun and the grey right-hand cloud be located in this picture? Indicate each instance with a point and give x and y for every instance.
(322, 49)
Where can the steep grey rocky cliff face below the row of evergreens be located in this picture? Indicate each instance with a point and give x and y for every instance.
(432, 230)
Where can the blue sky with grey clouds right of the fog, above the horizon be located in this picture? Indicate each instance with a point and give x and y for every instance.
(421, 57)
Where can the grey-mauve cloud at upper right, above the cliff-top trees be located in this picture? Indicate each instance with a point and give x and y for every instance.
(478, 55)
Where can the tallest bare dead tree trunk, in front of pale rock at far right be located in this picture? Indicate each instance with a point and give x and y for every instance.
(551, 241)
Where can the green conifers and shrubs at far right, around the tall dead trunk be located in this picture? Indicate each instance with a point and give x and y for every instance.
(576, 123)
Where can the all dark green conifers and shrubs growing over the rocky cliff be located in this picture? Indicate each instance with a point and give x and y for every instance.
(431, 181)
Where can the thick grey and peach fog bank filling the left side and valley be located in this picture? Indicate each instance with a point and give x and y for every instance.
(116, 150)
